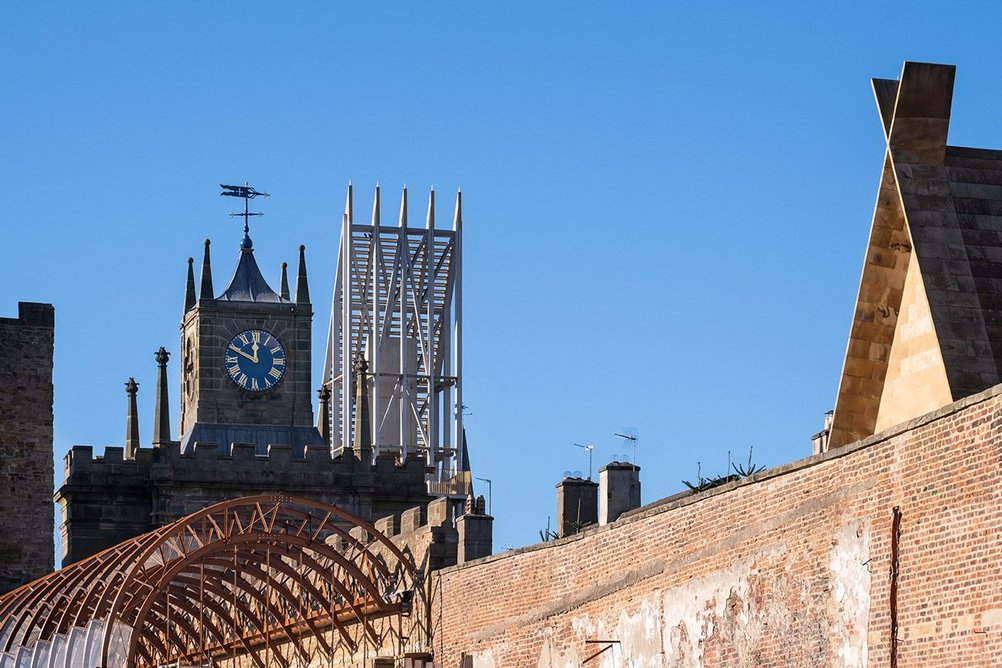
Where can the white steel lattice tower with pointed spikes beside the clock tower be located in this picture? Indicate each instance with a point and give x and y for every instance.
(398, 306)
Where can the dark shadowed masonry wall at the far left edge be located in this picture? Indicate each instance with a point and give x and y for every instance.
(27, 513)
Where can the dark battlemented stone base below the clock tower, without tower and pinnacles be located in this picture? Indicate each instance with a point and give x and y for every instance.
(108, 498)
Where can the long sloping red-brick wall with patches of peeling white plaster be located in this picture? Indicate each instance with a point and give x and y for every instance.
(792, 567)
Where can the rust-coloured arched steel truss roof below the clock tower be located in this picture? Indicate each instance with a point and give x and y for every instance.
(275, 579)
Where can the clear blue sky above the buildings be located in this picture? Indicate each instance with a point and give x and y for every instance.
(666, 206)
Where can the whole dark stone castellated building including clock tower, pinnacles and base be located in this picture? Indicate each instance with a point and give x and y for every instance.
(247, 425)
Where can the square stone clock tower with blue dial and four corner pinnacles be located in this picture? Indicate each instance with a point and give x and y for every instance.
(246, 360)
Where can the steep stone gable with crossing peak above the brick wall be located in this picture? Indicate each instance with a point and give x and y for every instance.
(927, 329)
